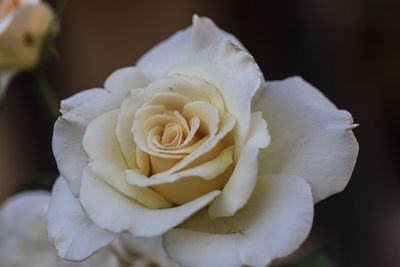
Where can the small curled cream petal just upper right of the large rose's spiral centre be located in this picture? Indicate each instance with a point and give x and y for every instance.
(207, 114)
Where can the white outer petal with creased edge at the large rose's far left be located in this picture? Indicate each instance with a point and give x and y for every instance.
(77, 111)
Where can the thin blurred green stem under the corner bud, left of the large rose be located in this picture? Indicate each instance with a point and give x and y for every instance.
(49, 99)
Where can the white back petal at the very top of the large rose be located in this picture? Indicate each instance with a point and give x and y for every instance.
(181, 46)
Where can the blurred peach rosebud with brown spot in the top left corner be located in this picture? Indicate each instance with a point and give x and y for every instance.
(23, 25)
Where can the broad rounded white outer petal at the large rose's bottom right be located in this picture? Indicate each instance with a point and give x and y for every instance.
(274, 223)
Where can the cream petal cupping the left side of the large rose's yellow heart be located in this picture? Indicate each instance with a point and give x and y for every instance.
(107, 162)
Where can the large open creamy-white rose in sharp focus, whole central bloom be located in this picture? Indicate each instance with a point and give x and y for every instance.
(193, 145)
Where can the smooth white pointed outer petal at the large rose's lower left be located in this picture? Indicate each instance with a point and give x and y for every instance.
(75, 236)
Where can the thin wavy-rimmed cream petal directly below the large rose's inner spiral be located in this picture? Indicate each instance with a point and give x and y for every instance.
(207, 171)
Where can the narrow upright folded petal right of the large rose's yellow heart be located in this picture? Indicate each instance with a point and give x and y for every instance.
(244, 177)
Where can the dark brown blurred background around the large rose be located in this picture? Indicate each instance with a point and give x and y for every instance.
(350, 50)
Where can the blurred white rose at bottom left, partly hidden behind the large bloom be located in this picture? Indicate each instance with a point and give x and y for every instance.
(24, 241)
